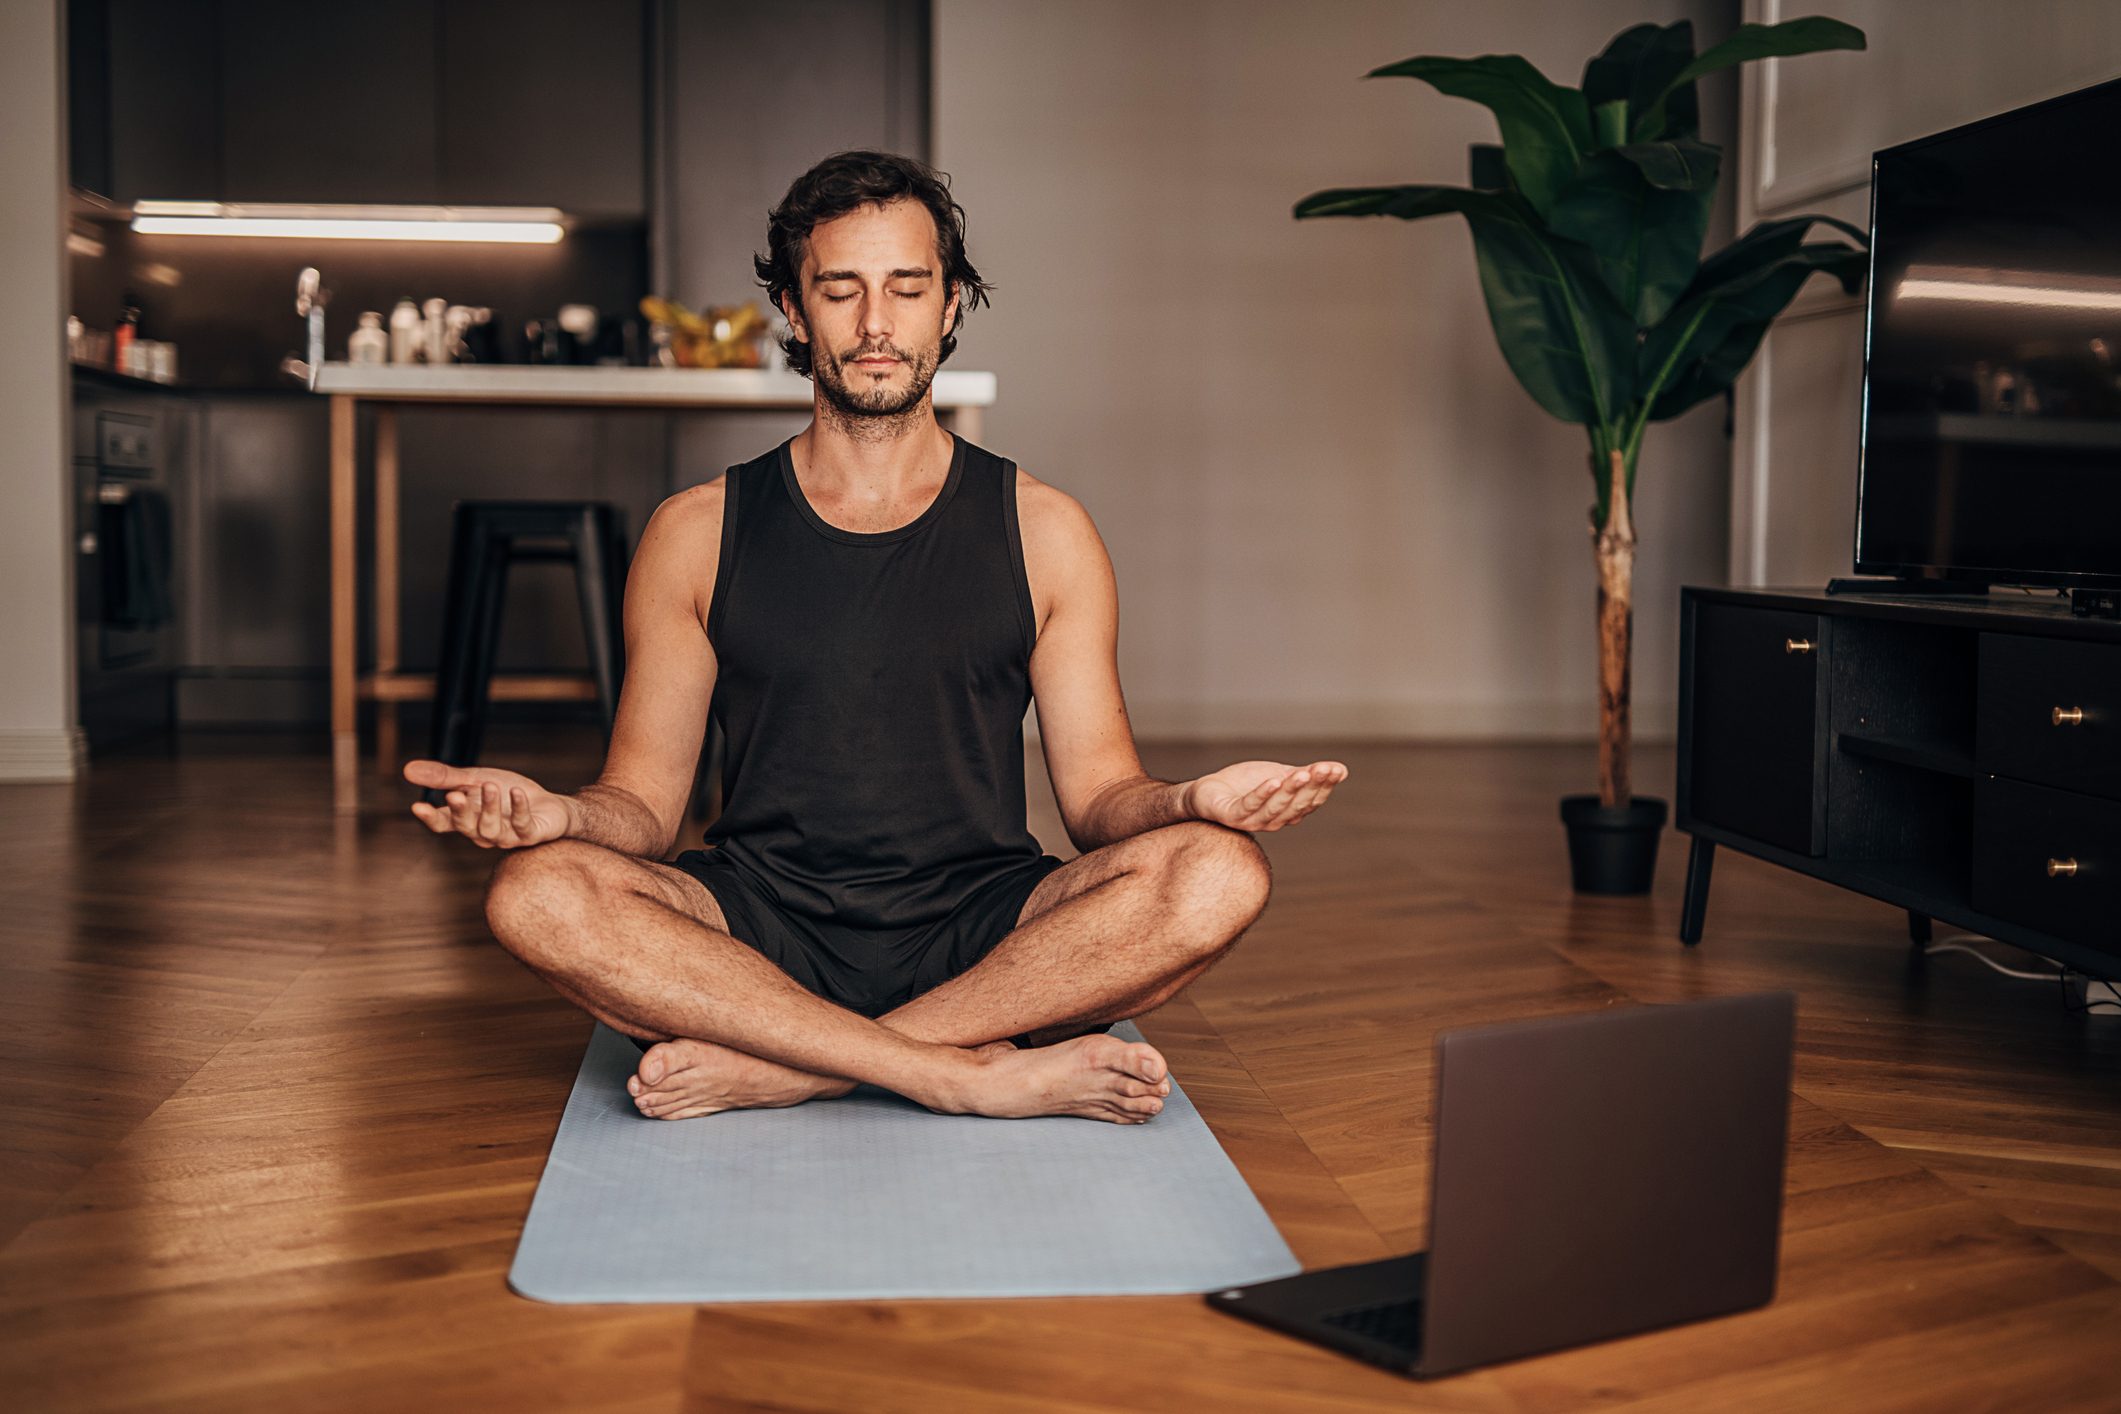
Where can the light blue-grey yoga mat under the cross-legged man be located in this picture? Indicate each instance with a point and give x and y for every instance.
(875, 1197)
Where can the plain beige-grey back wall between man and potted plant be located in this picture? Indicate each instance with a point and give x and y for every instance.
(1331, 508)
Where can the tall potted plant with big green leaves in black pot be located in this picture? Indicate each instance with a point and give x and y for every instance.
(1588, 226)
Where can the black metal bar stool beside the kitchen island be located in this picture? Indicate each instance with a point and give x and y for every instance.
(487, 537)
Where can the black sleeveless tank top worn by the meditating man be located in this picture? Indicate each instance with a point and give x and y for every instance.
(873, 696)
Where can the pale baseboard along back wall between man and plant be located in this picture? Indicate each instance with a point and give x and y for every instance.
(1537, 720)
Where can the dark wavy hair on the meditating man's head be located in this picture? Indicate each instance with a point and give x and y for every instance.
(845, 183)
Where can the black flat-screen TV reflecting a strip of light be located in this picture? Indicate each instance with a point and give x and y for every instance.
(1993, 351)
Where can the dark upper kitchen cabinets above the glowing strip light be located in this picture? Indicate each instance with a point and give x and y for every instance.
(468, 103)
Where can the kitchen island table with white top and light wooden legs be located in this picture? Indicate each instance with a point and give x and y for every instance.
(960, 400)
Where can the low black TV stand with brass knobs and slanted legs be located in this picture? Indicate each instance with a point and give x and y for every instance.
(1955, 758)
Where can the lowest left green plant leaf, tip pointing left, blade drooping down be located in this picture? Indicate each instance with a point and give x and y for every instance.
(1566, 338)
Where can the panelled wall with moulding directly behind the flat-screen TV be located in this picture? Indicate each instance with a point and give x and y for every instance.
(1810, 130)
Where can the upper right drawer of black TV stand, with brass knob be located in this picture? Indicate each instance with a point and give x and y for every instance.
(2050, 711)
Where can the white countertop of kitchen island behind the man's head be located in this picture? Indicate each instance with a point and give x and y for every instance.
(525, 383)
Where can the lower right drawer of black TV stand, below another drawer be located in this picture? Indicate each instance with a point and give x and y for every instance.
(2050, 862)
